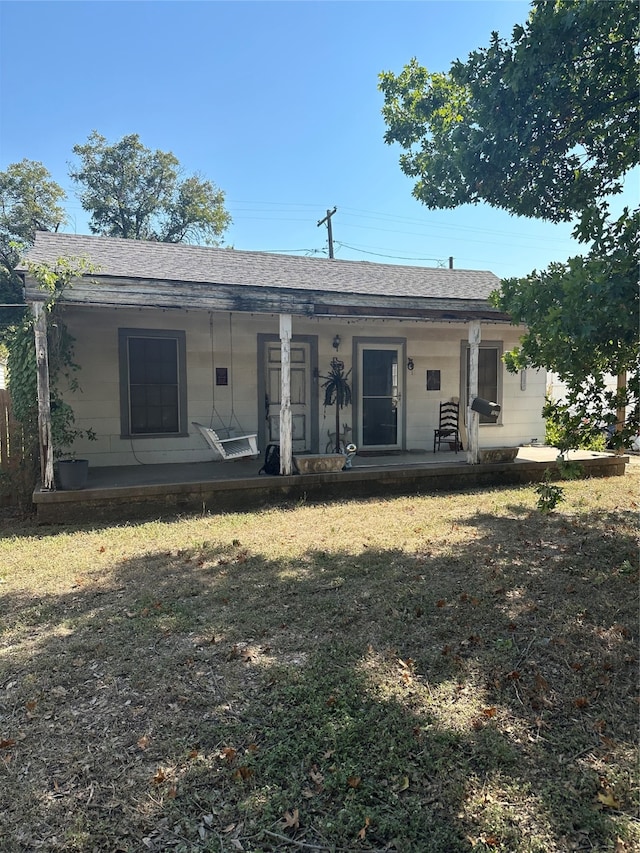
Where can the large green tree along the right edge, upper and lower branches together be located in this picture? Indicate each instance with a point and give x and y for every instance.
(545, 126)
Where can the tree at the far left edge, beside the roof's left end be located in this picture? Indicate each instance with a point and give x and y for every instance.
(29, 202)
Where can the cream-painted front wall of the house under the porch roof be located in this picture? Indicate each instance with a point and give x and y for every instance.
(230, 341)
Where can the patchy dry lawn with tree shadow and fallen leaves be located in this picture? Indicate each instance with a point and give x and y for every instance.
(428, 673)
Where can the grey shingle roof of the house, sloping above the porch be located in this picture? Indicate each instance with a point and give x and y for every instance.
(114, 257)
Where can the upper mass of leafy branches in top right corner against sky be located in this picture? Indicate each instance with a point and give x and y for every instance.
(541, 125)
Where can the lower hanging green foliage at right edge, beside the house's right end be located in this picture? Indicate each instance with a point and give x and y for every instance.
(583, 319)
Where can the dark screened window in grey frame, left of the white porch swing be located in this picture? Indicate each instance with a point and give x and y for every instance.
(153, 387)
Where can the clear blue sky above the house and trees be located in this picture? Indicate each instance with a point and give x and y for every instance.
(277, 103)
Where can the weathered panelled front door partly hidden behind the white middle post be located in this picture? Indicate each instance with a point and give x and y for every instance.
(300, 394)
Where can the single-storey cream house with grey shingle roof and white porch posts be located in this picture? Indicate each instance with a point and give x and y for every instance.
(171, 334)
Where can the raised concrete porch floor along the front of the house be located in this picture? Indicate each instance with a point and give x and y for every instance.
(136, 492)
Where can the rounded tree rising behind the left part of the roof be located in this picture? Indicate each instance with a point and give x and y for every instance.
(139, 194)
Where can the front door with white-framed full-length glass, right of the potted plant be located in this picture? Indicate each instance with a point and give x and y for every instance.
(380, 414)
